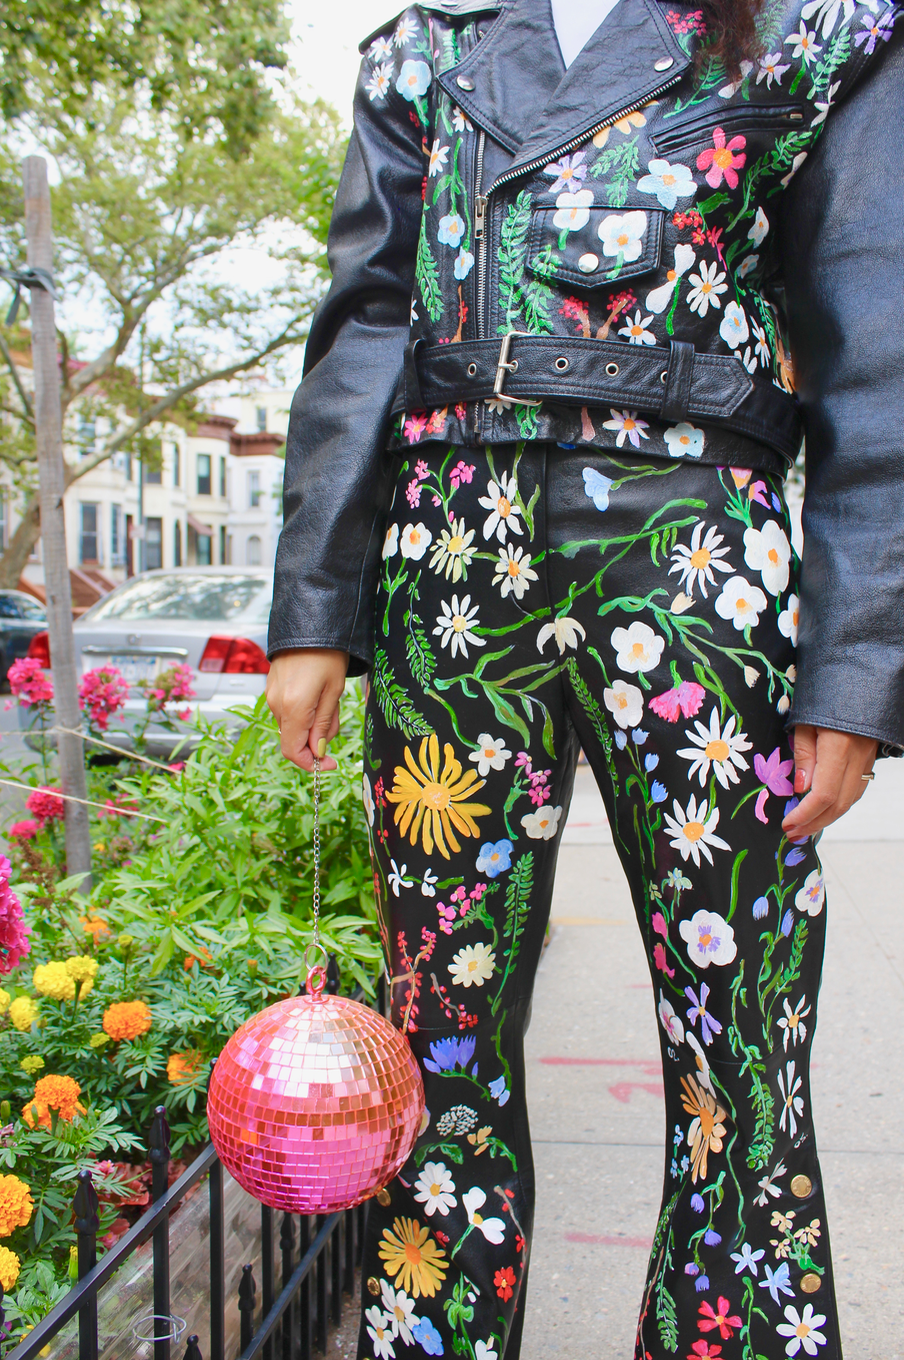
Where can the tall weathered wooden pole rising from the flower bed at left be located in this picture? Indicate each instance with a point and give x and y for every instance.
(48, 414)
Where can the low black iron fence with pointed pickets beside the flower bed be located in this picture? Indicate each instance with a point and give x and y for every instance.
(298, 1299)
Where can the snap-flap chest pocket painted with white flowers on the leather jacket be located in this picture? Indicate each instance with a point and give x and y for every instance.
(589, 247)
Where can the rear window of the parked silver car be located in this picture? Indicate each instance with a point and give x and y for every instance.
(190, 598)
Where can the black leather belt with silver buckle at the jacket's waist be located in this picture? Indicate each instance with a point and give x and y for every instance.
(675, 384)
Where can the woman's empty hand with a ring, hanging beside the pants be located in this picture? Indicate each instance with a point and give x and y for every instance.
(829, 768)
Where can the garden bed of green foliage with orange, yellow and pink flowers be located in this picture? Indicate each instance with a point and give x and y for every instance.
(116, 1002)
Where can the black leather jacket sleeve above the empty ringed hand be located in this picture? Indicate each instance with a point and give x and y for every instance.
(844, 262)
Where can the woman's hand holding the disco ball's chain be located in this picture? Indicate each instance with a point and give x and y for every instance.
(304, 689)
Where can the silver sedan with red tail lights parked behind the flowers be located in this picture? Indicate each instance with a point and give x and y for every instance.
(213, 619)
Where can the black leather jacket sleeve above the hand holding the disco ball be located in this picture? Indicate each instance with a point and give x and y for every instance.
(339, 475)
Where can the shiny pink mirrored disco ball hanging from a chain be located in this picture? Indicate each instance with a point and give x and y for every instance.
(315, 1104)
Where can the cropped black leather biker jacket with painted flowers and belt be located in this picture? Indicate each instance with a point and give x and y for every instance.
(524, 252)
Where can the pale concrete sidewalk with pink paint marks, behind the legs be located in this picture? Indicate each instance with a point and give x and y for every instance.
(596, 1094)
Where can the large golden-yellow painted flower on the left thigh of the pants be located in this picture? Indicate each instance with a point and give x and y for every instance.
(432, 802)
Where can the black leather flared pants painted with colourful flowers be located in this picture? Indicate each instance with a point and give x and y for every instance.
(536, 600)
